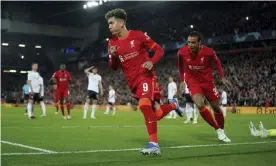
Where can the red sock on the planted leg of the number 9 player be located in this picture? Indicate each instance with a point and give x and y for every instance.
(150, 119)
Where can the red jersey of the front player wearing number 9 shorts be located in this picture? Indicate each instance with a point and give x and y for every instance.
(132, 52)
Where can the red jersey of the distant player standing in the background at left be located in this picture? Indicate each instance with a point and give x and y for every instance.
(63, 79)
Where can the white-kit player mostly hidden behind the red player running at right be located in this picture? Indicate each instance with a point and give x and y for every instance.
(191, 109)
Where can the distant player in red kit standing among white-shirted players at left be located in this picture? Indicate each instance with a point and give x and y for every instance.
(62, 78)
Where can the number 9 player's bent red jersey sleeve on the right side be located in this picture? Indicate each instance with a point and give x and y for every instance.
(152, 45)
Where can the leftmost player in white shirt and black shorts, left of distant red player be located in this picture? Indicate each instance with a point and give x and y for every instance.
(34, 90)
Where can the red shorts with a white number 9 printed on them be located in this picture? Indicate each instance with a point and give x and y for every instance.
(144, 89)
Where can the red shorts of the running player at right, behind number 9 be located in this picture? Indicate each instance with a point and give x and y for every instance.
(208, 90)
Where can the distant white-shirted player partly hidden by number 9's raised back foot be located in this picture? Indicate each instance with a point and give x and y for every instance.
(172, 91)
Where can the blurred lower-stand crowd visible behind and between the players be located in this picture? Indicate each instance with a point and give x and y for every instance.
(253, 76)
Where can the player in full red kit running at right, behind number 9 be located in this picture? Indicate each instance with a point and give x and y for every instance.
(197, 62)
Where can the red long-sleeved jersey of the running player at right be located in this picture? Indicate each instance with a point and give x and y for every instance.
(198, 68)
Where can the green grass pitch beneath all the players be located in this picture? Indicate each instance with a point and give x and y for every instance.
(76, 138)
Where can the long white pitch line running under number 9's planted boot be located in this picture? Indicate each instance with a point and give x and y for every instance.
(136, 149)
